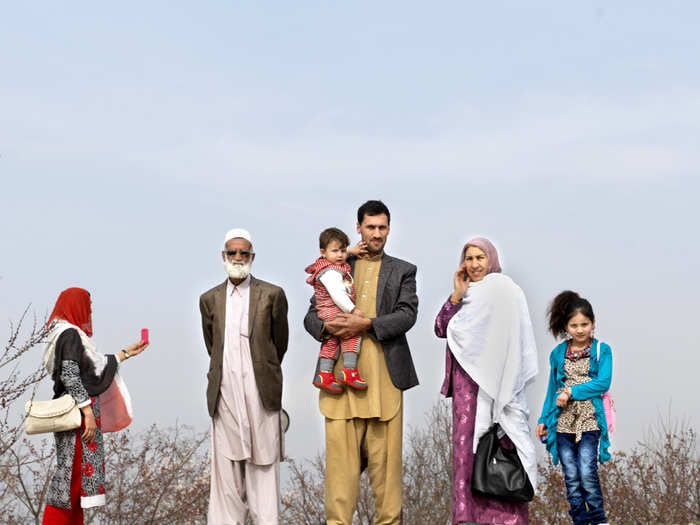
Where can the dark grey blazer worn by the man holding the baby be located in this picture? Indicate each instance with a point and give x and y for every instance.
(397, 308)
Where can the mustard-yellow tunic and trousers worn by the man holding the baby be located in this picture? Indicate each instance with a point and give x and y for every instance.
(364, 423)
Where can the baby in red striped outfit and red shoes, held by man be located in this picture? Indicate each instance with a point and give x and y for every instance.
(331, 277)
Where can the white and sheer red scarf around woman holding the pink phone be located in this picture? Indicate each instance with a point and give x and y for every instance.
(115, 402)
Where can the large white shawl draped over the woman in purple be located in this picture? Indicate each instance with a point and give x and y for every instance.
(492, 338)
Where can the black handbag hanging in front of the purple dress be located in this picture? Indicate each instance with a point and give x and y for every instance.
(498, 472)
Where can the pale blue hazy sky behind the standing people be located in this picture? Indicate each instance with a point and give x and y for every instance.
(133, 136)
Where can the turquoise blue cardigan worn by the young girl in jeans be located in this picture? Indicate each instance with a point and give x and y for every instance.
(601, 374)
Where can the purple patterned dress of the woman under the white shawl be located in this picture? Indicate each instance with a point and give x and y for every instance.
(463, 390)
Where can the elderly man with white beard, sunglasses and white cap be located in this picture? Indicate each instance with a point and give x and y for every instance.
(244, 322)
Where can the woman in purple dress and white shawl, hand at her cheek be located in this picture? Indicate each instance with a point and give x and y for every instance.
(491, 358)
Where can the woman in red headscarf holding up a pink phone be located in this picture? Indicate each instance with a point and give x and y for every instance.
(72, 361)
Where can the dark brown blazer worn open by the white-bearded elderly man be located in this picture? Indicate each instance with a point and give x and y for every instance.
(268, 336)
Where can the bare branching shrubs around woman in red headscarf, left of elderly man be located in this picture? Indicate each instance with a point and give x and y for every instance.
(160, 476)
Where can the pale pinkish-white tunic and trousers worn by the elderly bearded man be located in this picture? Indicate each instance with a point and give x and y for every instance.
(245, 443)
